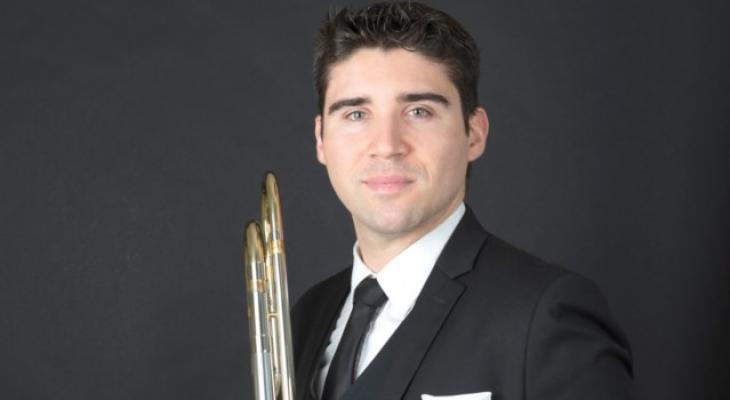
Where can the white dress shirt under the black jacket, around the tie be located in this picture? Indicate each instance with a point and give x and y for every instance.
(402, 280)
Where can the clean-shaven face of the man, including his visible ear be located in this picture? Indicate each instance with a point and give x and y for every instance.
(393, 139)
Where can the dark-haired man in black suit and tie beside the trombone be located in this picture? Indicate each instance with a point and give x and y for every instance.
(433, 305)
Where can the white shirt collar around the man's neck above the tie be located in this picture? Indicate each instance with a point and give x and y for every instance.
(403, 277)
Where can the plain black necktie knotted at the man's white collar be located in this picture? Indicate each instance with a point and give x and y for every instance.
(367, 299)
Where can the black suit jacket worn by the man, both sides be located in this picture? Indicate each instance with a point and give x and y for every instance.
(489, 318)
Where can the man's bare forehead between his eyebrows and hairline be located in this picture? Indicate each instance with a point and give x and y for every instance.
(377, 72)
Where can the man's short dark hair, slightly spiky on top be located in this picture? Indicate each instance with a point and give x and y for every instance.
(407, 25)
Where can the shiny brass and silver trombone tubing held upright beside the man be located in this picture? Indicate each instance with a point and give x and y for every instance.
(272, 363)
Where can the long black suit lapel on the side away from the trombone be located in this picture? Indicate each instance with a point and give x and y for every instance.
(392, 370)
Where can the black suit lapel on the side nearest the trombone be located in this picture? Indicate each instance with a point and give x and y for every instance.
(321, 324)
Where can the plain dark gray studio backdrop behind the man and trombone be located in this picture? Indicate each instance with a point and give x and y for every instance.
(134, 136)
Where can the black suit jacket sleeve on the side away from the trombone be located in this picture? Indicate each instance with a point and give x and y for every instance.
(575, 350)
